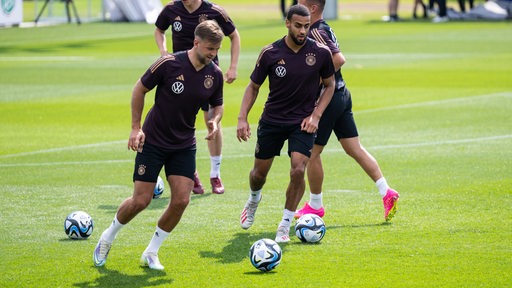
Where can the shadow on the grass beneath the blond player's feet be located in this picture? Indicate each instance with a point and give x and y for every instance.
(112, 278)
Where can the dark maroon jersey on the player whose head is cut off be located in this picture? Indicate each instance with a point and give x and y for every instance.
(184, 23)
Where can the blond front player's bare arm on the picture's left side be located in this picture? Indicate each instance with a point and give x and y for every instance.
(137, 137)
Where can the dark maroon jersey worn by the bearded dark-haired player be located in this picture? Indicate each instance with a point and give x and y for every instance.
(293, 79)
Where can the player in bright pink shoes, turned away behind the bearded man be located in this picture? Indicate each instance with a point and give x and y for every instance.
(338, 117)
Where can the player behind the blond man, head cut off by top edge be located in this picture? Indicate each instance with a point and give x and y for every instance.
(183, 16)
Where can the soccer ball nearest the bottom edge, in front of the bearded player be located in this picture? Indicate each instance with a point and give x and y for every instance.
(265, 254)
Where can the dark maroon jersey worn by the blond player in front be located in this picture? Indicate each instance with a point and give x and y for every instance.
(180, 91)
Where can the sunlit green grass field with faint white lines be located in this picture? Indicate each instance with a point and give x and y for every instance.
(433, 104)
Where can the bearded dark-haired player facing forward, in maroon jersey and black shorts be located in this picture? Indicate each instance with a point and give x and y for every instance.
(295, 66)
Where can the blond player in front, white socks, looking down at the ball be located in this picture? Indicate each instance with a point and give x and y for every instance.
(184, 81)
